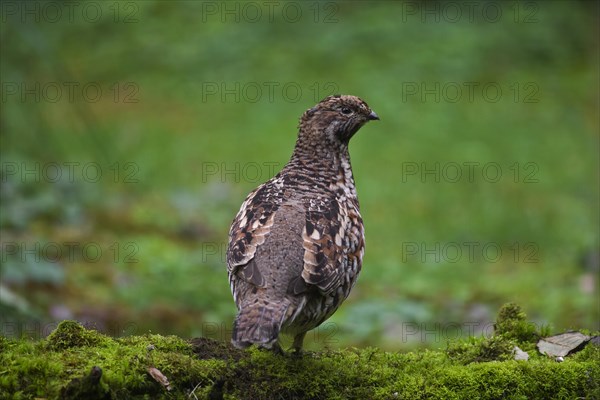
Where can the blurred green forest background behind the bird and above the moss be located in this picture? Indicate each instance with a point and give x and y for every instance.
(132, 131)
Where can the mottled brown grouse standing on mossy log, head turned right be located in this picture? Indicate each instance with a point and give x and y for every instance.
(296, 245)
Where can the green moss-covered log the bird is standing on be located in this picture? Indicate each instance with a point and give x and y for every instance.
(77, 363)
